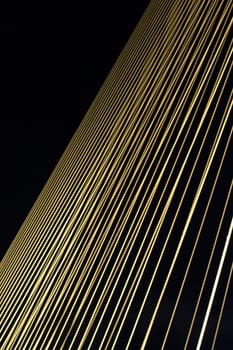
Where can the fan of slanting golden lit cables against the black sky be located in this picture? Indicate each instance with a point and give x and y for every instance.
(129, 243)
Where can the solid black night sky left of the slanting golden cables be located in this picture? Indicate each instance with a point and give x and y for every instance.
(55, 57)
